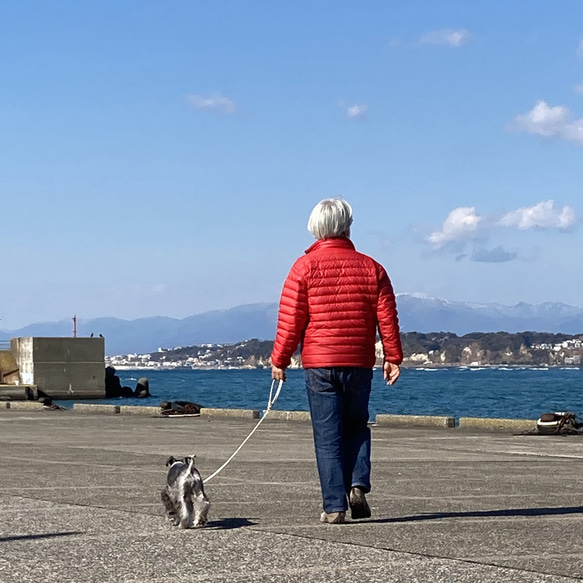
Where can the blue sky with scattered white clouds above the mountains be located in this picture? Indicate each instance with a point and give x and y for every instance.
(162, 158)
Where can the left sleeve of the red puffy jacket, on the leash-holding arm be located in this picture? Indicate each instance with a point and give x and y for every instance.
(292, 318)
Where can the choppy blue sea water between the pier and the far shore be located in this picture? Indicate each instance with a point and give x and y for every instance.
(518, 393)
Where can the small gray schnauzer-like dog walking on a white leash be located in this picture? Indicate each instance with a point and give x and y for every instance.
(186, 503)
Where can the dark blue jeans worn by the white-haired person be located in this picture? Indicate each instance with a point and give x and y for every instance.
(338, 399)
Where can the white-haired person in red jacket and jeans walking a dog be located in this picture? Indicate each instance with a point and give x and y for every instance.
(333, 301)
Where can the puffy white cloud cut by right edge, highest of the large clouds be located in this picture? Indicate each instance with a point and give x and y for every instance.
(546, 121)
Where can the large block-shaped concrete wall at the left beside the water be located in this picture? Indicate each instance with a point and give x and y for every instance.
(63, 368)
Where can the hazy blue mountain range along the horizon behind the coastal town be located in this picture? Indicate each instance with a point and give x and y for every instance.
(416, 314)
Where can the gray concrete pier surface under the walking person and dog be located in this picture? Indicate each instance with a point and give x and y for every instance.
(79, 502)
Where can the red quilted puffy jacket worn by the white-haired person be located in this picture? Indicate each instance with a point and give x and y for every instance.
(333, 300)
